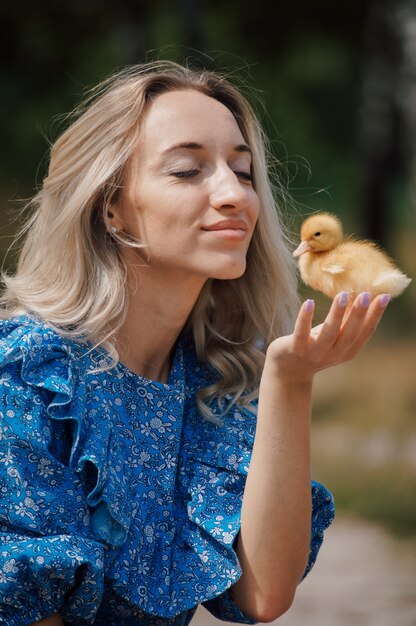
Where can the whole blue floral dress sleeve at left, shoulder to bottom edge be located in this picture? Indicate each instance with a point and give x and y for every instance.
(49, 559)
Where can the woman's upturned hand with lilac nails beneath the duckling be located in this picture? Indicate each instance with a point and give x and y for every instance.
(299, 356)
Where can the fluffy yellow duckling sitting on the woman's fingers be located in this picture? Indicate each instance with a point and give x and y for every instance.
(330, 263)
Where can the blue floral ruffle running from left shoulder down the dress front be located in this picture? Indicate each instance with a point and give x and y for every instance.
(58, 366)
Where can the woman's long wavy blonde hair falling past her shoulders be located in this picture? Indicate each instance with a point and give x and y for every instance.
(70, 271)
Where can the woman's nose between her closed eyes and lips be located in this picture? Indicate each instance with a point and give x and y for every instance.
(228, 192)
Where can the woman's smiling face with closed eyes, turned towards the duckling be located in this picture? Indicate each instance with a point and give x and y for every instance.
(188, 192)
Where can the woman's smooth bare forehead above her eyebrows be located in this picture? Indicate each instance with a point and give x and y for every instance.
(188, 115)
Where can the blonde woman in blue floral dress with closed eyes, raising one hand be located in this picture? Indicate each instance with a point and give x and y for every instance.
(150, 313)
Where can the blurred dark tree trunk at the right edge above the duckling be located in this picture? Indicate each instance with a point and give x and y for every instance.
(388, 118)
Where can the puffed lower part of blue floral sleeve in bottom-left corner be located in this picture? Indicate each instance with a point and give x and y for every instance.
(40, 576)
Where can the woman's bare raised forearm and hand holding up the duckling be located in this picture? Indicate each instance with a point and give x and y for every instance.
(273, 543)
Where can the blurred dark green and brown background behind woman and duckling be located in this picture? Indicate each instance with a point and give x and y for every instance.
(338, 83)
